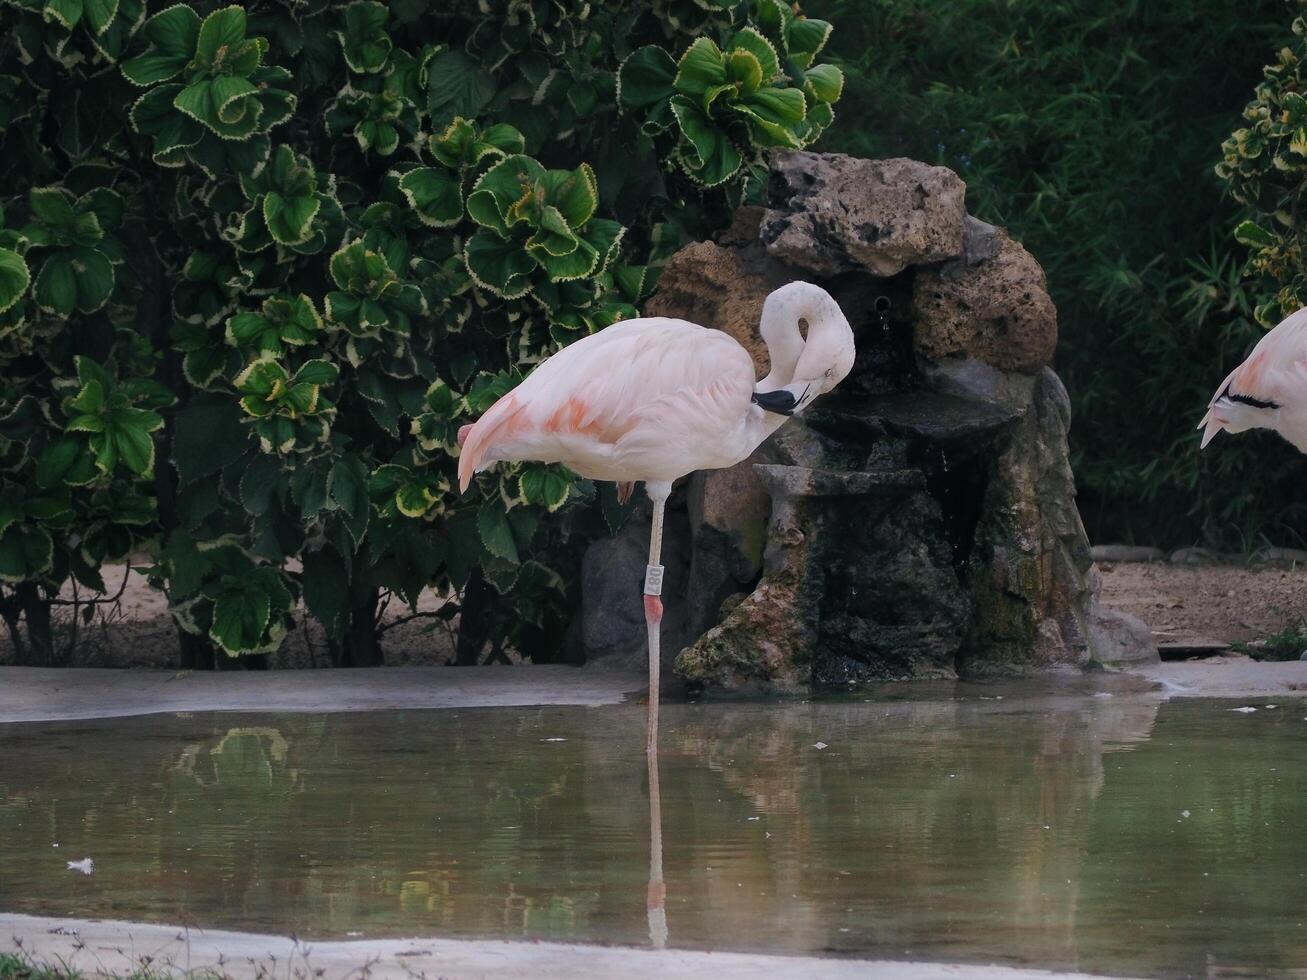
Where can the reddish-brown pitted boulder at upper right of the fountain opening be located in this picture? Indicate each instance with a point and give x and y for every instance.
(993, 305)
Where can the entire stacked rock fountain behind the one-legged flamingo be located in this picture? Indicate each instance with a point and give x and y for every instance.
(921, 521)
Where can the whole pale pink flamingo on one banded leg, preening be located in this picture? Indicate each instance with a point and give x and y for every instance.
(654, 399)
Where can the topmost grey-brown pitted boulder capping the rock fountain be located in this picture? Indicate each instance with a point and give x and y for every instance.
(831, 214)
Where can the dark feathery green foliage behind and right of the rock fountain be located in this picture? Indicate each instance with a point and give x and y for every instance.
(1092, 130)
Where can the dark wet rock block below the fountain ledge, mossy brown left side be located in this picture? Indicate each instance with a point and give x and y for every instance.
(858, 586)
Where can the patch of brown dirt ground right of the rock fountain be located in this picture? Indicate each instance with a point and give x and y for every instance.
(1227, 603)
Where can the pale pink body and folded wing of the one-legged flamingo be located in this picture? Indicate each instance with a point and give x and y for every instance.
(648, 399)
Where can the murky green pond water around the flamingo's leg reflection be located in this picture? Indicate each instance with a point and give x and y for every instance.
(1104, 834)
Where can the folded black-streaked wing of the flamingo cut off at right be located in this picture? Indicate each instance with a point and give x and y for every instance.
(1274, 373)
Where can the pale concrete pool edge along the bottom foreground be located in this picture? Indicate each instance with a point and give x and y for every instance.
(117, 948)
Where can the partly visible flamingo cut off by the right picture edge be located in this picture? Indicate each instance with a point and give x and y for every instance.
(1268, 390)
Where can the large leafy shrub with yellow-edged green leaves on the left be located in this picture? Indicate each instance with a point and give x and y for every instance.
(259, 263)
